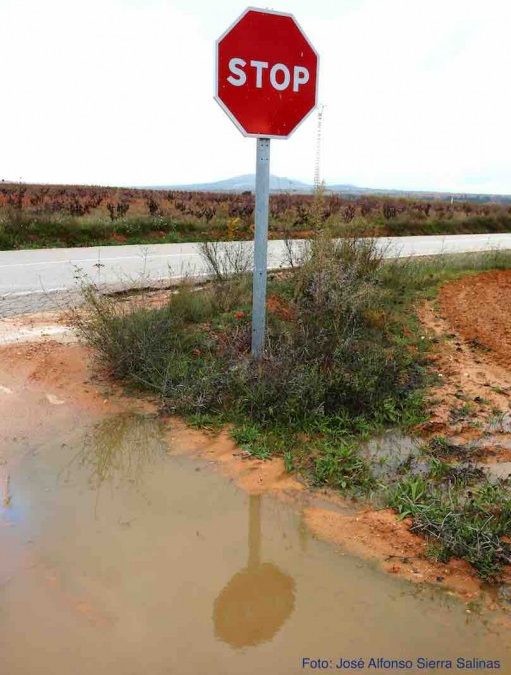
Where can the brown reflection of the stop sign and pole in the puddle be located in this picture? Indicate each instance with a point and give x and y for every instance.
(257, 601)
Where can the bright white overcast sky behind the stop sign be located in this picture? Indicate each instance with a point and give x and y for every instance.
(120, 92)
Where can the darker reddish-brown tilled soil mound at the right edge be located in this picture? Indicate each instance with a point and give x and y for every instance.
(479, 309)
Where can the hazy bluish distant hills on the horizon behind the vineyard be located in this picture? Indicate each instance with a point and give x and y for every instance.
(279, 184)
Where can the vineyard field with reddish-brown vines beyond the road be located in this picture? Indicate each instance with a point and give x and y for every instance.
(34, 216)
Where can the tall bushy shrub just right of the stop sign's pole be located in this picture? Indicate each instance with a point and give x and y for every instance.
(339, 353)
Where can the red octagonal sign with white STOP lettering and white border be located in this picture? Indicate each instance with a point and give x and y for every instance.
(266, 74)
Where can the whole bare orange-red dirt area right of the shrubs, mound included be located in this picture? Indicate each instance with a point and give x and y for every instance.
(471, 327)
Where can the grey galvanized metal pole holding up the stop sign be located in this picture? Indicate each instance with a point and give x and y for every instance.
(260, 246)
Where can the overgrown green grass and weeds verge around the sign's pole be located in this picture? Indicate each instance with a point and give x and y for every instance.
(346, 359)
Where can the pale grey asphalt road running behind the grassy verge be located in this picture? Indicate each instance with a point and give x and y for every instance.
(31, 273)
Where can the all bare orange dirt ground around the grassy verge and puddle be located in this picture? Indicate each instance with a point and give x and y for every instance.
(471, 329)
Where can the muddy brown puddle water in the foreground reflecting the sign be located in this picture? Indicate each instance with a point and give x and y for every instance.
(118, 558)
